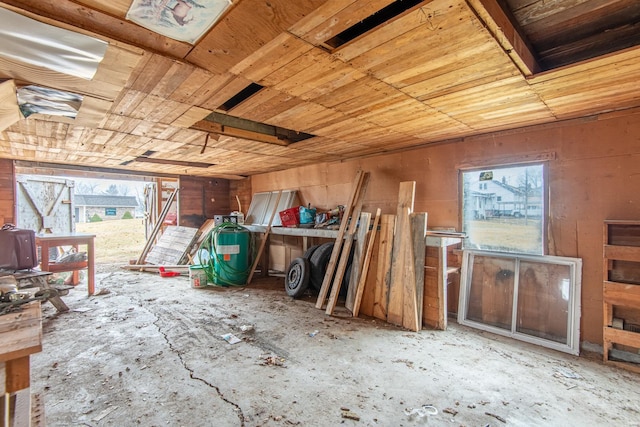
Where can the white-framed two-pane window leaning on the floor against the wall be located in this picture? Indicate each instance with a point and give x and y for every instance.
(533, 299)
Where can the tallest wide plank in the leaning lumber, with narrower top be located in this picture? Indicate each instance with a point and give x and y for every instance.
(402, 266)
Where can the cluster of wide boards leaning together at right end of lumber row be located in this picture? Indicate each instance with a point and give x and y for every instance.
(394, 285)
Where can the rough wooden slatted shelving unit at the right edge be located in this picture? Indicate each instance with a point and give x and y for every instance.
(621, 289)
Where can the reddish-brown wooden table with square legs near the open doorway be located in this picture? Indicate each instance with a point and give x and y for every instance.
(46, 241)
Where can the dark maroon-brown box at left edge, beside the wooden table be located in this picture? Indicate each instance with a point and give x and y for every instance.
(17, 248)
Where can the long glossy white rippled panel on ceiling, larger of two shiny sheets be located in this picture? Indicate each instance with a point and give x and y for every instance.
(27, 40)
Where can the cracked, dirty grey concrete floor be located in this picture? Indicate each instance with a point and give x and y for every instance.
(149, 352)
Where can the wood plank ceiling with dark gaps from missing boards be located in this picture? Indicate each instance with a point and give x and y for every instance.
(441, 70)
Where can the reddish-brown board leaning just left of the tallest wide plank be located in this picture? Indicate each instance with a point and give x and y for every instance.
(383, 270)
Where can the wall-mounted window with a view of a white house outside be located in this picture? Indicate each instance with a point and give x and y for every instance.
(507, 213)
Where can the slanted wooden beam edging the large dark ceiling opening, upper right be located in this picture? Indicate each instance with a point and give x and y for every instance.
(514, 44)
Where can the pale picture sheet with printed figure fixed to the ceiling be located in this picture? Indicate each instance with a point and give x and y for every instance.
(183, 20)
